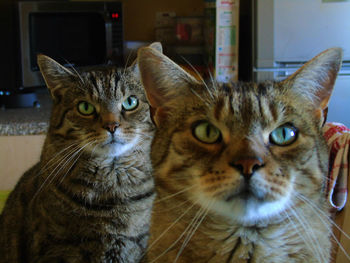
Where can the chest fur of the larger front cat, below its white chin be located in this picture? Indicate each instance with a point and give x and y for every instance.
(187, 238)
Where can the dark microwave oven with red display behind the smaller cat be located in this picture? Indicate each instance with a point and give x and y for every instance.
(75, 33)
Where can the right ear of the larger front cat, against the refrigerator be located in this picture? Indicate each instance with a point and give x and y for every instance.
(315, 80)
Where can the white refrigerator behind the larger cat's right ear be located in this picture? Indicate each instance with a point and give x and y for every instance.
(287, 33)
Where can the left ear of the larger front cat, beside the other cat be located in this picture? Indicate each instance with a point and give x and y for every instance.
(164, 81)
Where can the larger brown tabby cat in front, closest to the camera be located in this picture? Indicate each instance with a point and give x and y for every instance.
(240, 169)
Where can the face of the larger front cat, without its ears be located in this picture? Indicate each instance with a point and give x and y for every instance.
(244, 154)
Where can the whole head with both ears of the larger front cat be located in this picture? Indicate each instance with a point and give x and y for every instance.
(243, 151)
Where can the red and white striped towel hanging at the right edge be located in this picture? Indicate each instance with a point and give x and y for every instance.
(338, 140)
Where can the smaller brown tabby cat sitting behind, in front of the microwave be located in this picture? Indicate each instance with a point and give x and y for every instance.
(89, 199)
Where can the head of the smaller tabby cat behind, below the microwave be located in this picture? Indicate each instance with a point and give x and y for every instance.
(105, 111)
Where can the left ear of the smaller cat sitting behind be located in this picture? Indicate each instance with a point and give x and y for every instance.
(53, 72)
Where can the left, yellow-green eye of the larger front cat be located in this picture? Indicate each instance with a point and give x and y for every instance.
(206, 132)
